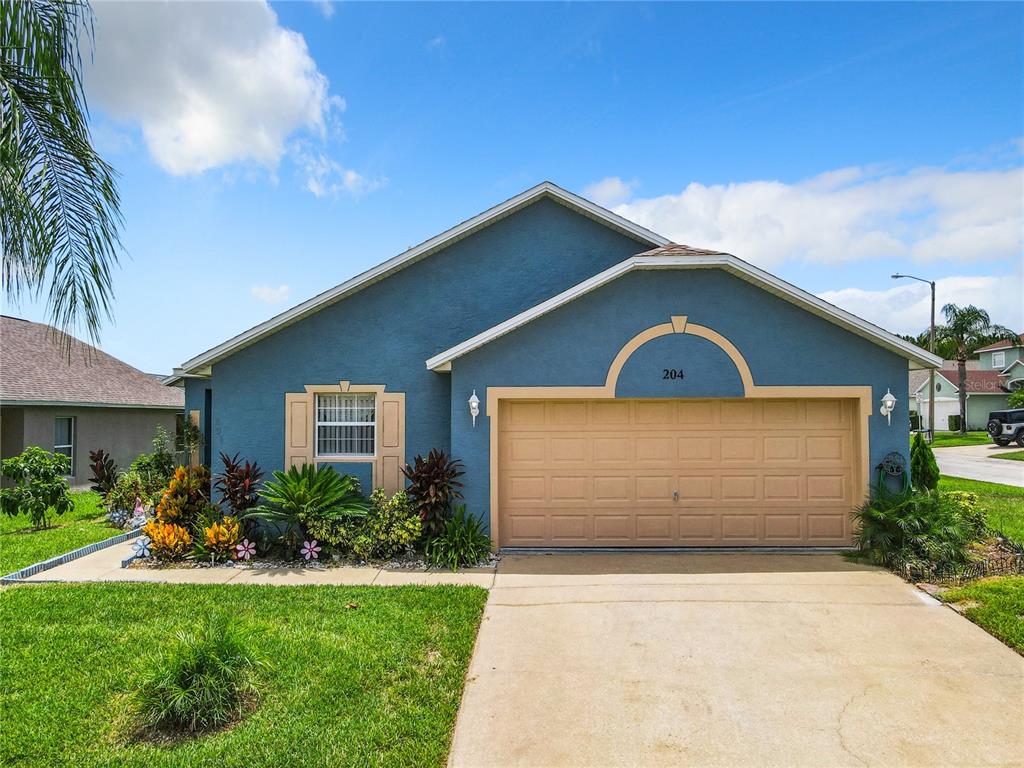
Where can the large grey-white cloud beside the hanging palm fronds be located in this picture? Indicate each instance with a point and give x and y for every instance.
(209, 84)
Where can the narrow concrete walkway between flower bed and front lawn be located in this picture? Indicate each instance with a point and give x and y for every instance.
(105, 566)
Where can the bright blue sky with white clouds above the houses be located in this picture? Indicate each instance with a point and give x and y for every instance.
(269, 154)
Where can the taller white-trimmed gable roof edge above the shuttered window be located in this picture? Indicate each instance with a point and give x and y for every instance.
(201, 364)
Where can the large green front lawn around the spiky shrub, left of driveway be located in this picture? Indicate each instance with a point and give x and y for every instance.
(363, 676)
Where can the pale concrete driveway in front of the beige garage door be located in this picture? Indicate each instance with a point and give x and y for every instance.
(731, 660)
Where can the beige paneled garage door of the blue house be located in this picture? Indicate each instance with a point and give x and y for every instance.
(657, 474)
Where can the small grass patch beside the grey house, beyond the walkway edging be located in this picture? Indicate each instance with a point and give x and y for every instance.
(22, 545)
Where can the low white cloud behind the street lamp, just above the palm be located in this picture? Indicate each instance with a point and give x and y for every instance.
(906, 308)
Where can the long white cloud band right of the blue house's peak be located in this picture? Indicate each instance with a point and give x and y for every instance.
(928, 215)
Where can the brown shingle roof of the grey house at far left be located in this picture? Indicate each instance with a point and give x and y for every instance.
(36, 371)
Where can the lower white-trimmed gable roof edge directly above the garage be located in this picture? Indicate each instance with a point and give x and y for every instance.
(684, 258)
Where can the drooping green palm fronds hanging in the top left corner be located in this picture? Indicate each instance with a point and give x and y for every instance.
(60, 212)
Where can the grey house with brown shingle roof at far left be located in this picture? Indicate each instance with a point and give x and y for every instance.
(92, 402)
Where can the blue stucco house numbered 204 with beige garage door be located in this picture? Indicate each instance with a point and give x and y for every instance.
(631, 392)
